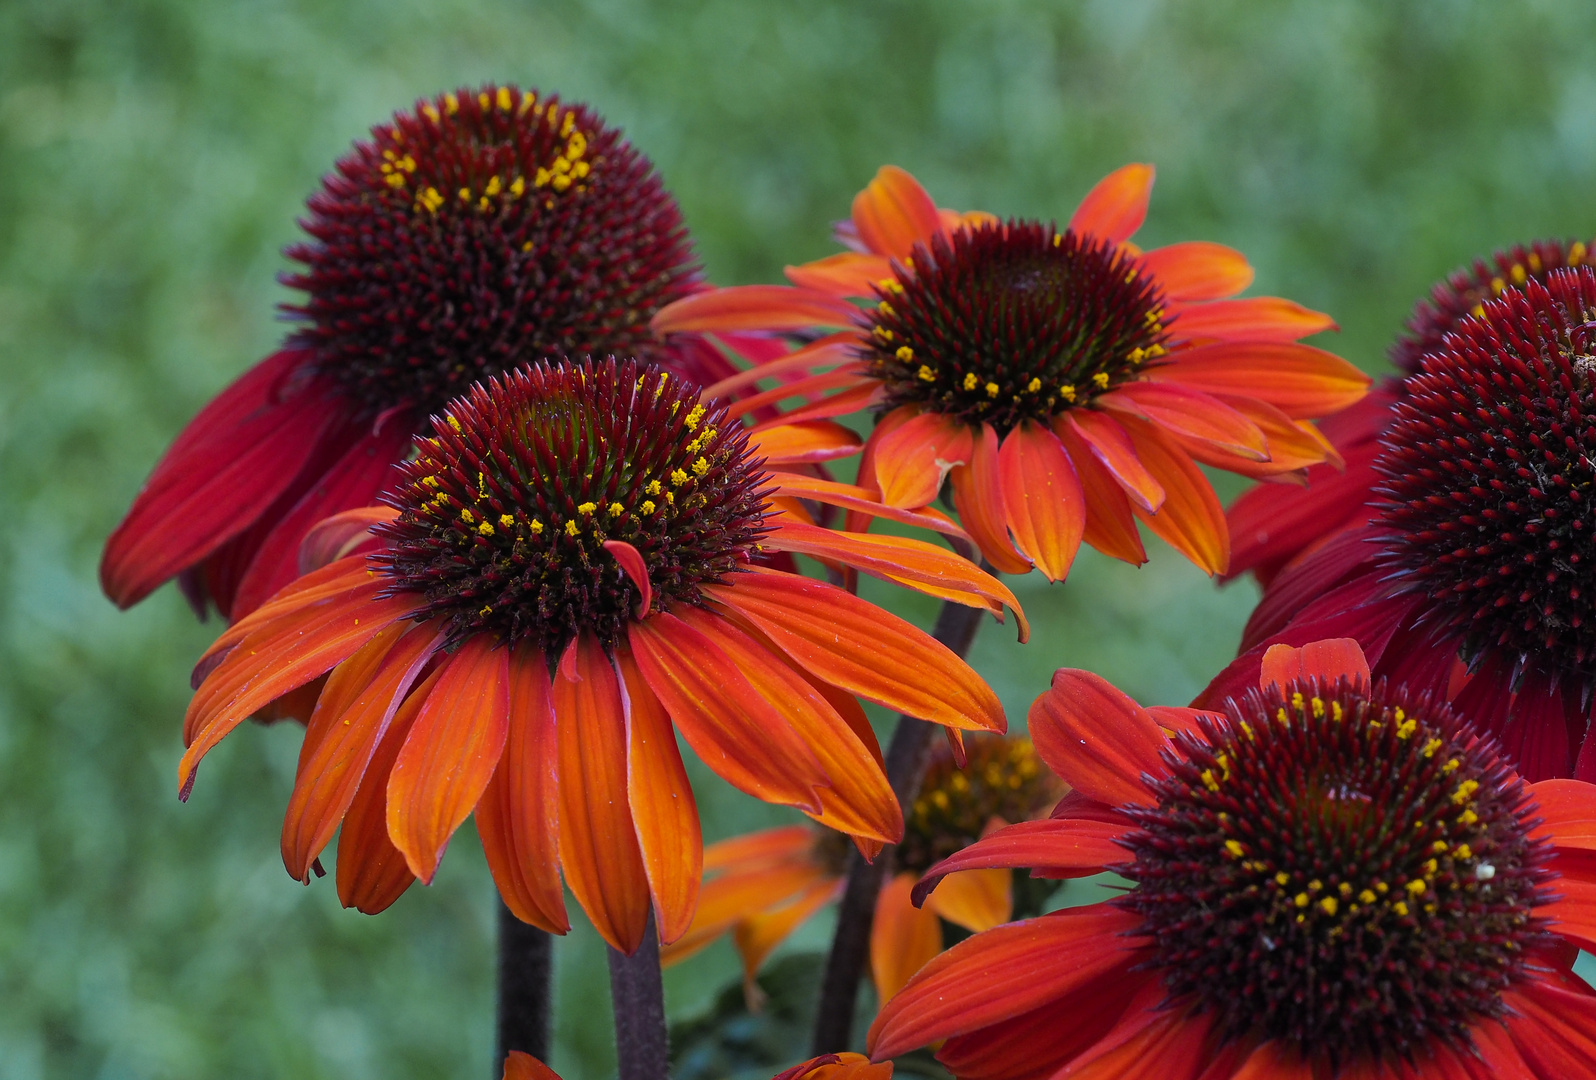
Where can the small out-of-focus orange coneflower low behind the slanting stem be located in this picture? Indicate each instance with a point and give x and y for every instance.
(764, 886)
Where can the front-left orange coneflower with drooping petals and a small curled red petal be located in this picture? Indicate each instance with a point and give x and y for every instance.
(569, 577)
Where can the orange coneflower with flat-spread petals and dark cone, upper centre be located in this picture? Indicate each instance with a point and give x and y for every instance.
(1064, 382)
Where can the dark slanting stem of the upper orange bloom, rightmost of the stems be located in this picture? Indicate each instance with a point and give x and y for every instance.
(906, 760)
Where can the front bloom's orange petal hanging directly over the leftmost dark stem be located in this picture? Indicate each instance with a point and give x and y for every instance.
(519, 814)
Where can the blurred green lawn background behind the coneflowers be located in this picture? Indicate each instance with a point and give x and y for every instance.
(154, 156)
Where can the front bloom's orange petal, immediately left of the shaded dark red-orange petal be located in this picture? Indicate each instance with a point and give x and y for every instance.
(350, 720)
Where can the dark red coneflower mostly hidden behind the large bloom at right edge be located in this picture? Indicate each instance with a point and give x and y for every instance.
(1274, 524)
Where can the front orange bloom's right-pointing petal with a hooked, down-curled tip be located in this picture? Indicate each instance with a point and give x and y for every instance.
(909, 562)
